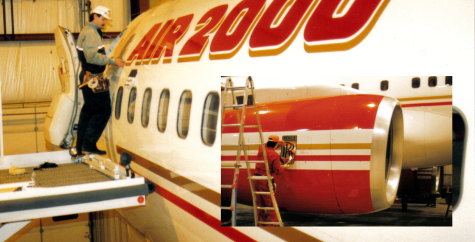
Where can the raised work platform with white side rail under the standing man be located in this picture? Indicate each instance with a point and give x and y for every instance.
(93, 183)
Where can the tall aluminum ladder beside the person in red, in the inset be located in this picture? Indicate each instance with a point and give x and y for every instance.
(229, 87)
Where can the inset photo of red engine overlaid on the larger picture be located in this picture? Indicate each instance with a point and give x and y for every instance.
(339, 151)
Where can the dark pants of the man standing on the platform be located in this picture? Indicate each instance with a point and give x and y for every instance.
(93, 118)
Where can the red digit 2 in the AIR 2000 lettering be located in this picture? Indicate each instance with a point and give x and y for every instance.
(195, 46)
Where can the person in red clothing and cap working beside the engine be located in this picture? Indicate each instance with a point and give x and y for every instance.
(273, 160)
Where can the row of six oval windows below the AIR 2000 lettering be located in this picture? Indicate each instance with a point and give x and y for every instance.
(208, 122)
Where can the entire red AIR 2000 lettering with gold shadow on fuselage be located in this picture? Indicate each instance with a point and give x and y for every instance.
(333, 25)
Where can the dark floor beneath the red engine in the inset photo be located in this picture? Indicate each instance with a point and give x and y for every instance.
(416, 215)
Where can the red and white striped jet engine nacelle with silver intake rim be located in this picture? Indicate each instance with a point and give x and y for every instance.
(348, 159)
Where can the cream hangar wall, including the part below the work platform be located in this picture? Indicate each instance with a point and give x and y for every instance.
(29, 80)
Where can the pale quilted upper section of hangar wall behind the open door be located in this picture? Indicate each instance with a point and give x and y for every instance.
(28, 69)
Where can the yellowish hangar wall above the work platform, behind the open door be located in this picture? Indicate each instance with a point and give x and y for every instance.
(29, 69)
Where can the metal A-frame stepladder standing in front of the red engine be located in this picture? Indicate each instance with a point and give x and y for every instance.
(239, 109)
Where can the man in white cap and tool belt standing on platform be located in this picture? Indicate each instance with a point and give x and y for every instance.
(97, 105)
